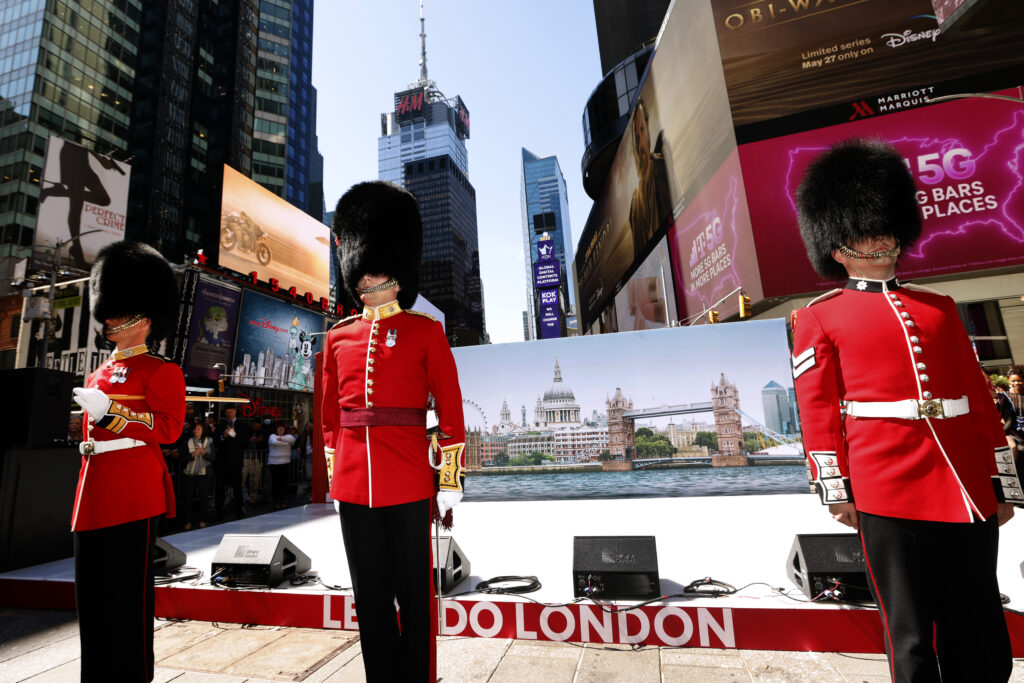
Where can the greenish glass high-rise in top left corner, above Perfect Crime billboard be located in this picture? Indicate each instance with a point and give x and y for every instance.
(68, 70)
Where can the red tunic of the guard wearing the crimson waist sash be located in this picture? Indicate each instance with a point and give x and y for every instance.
(388, 358)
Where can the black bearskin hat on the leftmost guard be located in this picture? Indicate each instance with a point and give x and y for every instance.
(134, 279)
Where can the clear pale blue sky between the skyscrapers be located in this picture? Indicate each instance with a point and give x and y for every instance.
(525, 70)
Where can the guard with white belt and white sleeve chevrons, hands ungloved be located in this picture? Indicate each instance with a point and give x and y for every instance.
(902, 436)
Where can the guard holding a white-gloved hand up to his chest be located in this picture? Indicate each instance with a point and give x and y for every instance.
(135, 402)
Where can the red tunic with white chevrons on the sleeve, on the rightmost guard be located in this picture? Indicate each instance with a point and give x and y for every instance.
(877, 341)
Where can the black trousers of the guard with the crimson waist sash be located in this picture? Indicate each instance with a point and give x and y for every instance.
(390, 560)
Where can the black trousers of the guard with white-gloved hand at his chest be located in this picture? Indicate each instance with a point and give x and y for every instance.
(114, 595)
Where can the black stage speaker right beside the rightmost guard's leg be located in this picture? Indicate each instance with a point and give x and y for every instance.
(821, 563)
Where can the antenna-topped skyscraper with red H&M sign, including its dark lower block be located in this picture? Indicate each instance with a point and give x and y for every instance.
(423, 148)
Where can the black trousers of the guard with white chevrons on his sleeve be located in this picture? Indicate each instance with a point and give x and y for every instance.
(938, 597)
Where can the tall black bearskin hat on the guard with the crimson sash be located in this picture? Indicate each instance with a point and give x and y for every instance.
(379, 233)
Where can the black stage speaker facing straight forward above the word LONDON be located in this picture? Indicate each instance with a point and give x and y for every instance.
(616, 567)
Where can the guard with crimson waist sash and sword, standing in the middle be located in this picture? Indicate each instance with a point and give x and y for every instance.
(380, 371)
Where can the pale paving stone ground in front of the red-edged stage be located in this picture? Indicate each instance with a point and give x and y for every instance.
(42, 647)
